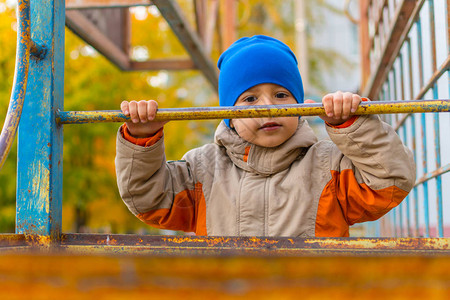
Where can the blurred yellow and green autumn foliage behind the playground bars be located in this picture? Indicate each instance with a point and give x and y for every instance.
(91, 202)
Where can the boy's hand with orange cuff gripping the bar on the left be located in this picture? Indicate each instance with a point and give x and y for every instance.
(142, 114)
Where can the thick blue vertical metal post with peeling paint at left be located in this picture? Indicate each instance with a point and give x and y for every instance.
(39, 183)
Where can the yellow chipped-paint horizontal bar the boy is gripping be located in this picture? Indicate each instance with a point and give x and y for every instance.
(238, 112)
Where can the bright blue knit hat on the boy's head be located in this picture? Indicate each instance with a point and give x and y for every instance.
(255, 60)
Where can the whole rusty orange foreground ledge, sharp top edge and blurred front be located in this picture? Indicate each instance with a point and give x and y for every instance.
(104, 266)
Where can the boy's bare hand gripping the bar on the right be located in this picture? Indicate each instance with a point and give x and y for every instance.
(339, 107)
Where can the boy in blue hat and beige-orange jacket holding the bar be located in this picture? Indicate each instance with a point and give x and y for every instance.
(268, 176)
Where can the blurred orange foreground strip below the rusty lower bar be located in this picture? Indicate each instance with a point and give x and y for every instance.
(53, 276)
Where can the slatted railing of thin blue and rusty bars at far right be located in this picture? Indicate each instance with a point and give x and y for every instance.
(407, 57)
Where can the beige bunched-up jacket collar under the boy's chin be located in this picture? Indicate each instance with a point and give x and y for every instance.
(262, 160)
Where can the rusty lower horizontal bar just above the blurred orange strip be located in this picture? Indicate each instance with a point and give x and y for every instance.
(255, 246)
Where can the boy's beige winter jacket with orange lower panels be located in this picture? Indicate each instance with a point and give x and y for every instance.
(301, 188)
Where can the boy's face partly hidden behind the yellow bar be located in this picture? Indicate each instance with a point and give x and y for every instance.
(265, 132)
